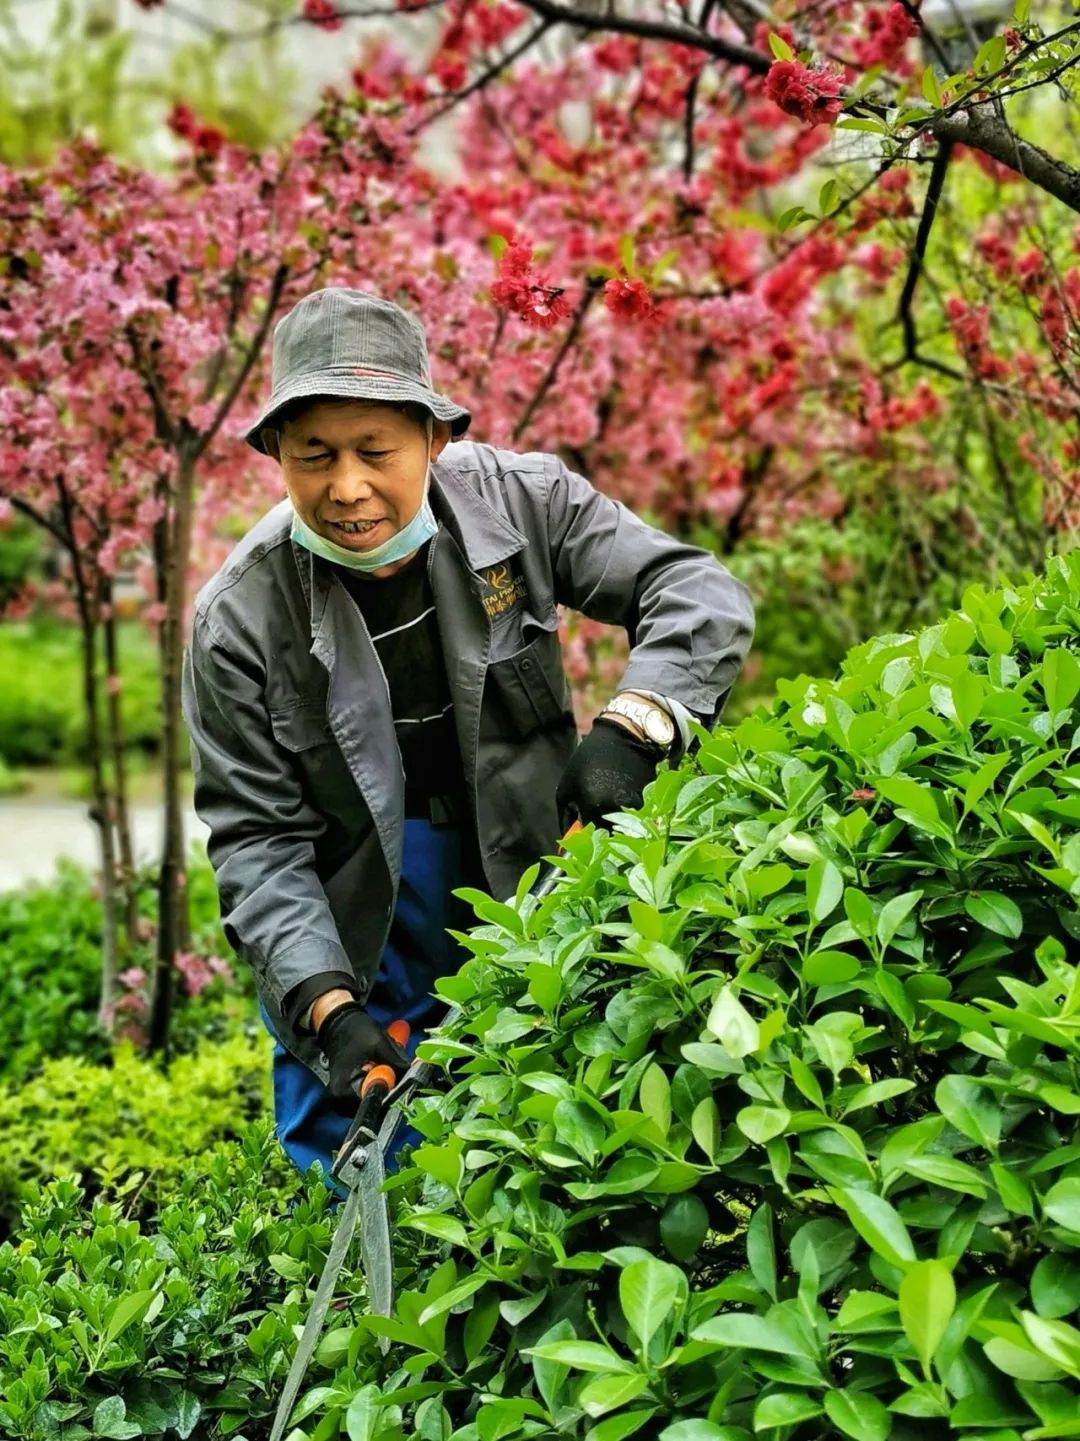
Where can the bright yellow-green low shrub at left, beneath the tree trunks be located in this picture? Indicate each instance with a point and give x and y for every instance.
(132, 1119)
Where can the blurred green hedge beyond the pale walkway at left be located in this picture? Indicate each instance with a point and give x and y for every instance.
(43, 718)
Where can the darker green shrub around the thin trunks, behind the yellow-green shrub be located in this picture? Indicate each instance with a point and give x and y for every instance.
(51, 971)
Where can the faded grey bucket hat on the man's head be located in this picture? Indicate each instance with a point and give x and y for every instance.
(350, 345)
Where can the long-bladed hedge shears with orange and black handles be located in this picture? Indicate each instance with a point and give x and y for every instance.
(361, 1169)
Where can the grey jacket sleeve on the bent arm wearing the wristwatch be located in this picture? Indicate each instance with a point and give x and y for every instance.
(690, 620)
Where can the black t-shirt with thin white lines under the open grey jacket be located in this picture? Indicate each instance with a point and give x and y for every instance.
(400, 613)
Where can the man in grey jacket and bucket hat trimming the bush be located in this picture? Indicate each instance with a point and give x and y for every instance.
(377, 700)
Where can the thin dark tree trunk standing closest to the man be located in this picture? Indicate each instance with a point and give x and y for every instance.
(172, 884)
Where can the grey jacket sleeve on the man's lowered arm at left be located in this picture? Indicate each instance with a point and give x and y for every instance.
(263, 831)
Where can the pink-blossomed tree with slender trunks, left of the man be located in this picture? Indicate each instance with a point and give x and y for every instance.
(133, 313)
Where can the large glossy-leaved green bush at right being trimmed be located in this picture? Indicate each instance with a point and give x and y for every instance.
(765, 1125)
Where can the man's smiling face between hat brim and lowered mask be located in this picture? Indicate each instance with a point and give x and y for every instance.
(355, 470)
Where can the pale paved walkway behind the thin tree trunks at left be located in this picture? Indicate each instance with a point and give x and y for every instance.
(35, 834)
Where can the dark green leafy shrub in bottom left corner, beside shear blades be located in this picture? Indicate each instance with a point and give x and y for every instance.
(116, 1329)
